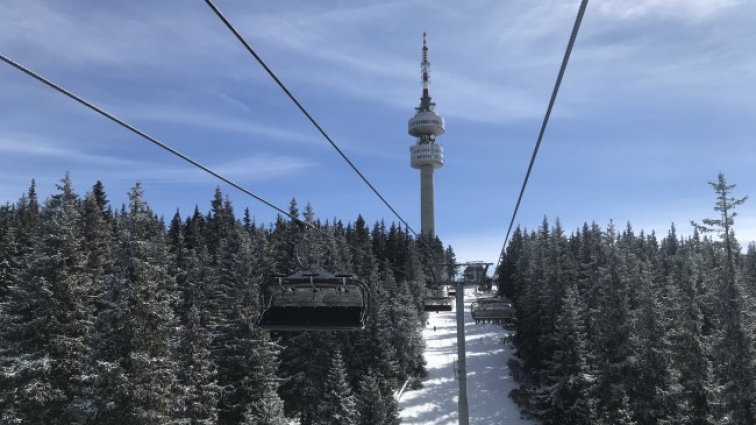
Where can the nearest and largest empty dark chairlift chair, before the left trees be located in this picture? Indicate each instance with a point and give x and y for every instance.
(314, 301)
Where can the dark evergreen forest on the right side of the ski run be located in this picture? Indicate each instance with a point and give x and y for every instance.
(619, 328)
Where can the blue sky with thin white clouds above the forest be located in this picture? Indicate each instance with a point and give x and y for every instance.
(658, 99)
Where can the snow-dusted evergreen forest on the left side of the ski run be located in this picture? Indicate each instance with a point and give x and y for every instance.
(117, 317)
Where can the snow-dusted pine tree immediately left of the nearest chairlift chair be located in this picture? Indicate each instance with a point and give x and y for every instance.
(244, 354)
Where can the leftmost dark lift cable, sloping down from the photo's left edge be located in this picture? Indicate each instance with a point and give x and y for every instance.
(184, 157)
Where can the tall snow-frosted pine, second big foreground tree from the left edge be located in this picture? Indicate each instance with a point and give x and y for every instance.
(141, 372)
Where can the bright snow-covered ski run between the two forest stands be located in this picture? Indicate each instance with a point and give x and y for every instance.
(488, 378)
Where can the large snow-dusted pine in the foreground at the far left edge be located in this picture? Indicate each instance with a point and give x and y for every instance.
(47, 321)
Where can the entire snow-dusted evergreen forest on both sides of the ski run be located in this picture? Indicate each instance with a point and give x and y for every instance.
(117, 316)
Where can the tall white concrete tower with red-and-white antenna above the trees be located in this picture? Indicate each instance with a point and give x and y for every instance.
(426, 154)
